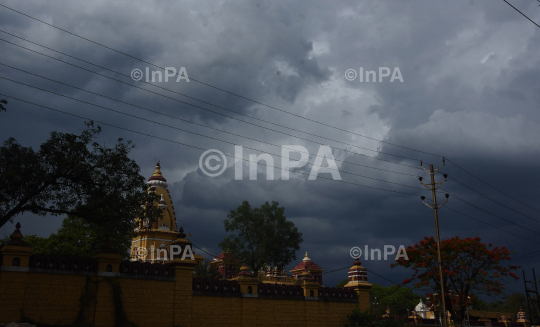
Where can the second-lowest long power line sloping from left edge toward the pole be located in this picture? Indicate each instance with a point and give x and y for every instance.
(213, 138)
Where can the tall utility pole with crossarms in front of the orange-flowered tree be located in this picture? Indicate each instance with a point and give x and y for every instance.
(433, 187)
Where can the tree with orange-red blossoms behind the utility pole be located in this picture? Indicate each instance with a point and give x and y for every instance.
(468, 266)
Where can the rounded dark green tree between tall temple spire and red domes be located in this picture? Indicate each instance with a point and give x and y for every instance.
(261, 235)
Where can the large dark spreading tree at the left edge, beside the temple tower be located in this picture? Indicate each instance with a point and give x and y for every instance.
(73, 175)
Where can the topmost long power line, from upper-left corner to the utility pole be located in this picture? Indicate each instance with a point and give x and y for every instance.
(217, 88)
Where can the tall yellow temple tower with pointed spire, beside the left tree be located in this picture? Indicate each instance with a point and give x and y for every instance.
(160, 234)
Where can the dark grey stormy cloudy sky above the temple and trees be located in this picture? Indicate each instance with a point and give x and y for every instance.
(274, 75)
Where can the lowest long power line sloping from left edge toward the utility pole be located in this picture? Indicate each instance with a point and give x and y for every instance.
(199, 148)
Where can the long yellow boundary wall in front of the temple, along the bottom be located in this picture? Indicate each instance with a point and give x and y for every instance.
(55, 299)
